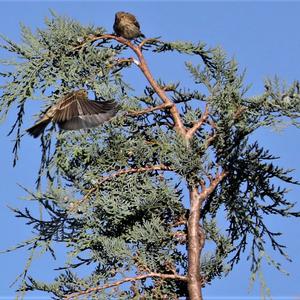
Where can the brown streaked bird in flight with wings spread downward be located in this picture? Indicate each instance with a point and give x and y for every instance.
(75, 111)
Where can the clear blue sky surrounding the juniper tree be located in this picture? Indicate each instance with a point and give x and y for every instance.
(263, 37)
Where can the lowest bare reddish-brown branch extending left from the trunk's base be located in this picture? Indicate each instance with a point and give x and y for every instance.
(128, 279)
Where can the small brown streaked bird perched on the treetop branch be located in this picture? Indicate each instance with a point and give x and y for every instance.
(127, 26)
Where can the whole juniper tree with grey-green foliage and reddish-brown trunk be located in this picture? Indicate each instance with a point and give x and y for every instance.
(136, 199)
